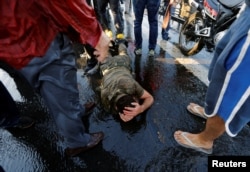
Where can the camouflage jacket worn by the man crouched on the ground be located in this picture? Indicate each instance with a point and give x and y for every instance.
(117, 81)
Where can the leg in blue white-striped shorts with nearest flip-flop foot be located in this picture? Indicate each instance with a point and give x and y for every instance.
(228, 114)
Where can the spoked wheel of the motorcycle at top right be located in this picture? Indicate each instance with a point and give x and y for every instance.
(189, 43)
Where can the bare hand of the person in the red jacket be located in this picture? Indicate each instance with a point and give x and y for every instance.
(102, 48)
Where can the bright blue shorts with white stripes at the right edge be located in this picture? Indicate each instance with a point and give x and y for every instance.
(228, 93)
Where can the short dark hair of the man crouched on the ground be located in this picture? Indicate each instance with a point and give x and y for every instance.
(124, 101)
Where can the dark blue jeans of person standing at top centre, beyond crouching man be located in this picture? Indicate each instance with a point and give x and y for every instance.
(152, 7)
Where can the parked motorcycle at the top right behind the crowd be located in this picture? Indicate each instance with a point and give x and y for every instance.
(207, 25)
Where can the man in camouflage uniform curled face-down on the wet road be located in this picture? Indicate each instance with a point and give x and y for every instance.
(118, 82)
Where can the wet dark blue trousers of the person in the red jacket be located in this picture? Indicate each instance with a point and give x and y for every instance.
(54, 75)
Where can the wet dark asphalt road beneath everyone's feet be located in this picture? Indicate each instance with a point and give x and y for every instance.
(144, 144)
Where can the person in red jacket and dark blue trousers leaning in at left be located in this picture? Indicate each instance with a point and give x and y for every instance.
(36, 39)
